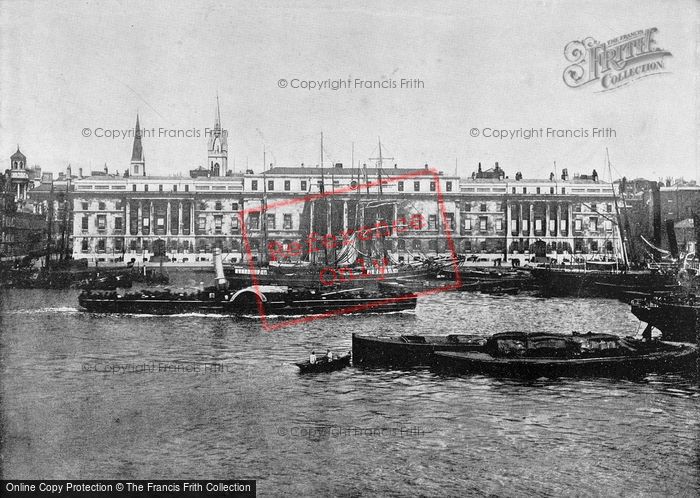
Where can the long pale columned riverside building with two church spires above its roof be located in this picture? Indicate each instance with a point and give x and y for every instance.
(136, 215)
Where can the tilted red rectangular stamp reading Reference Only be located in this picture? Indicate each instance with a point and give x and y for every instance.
(341, 241)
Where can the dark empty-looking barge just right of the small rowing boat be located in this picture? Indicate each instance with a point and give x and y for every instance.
(398, 352)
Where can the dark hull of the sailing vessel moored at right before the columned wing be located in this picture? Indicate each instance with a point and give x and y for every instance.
(563, 282)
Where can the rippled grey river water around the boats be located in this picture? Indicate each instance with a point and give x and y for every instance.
(87, 396)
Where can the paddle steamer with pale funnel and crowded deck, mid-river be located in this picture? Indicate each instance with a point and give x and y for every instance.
(272, 300)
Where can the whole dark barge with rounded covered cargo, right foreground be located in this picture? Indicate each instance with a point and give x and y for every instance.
(535, 355)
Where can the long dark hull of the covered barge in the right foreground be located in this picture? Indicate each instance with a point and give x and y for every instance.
(677, 358)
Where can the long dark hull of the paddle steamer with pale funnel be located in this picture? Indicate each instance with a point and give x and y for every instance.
(156, 306)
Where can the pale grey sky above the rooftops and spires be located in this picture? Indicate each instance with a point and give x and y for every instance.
(68, 67)
